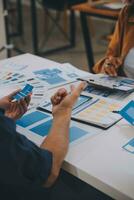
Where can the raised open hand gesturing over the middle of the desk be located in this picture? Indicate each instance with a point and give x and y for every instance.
(63, 101)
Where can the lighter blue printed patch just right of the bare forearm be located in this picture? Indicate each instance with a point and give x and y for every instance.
(76, 133)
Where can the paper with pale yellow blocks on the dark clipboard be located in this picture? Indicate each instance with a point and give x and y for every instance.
(99, 112)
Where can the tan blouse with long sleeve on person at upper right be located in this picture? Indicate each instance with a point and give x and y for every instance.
(122, 41)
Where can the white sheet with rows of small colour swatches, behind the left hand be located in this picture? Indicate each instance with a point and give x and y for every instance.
(12, 79)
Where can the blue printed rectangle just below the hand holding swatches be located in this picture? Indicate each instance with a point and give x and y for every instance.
(31, 118)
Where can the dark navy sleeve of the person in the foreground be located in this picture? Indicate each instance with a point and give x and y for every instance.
(21, 160)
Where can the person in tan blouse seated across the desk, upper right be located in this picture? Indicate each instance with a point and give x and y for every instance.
(119, 59)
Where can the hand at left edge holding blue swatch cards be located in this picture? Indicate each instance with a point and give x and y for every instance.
(16, 109)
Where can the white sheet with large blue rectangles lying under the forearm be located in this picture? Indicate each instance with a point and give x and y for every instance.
(36, 125)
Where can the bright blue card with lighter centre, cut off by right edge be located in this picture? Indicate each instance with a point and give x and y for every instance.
(128, 112)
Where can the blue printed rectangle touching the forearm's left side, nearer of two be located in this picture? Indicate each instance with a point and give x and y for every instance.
(42, 129)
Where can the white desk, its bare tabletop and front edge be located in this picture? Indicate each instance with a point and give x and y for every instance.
(99, 160)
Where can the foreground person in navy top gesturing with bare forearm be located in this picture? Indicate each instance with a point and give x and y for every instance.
(24, 167)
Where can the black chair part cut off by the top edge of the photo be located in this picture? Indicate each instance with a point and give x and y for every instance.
(61, 4)
